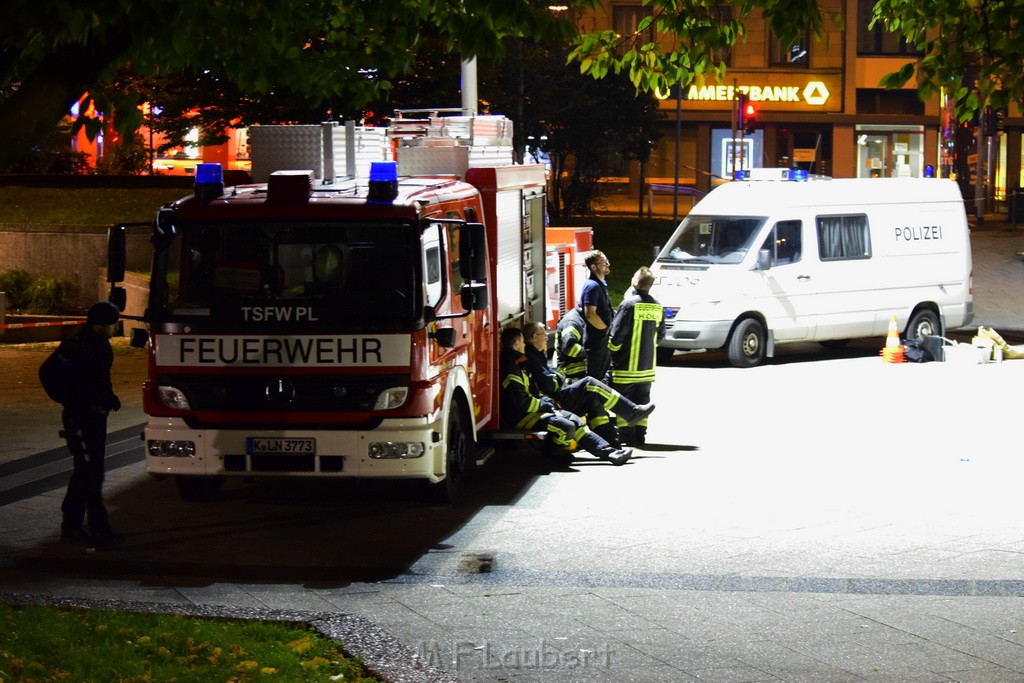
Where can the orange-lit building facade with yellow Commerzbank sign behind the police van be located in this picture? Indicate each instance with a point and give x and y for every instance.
(820, 107)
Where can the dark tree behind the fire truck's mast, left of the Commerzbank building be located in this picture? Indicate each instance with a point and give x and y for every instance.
(578, 122)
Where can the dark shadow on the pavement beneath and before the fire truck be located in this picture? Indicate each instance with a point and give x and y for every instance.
(296, 532)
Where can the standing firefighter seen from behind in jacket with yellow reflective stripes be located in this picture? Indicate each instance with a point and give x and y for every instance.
(638, 326)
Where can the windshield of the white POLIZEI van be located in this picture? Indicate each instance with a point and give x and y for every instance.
(712, 239)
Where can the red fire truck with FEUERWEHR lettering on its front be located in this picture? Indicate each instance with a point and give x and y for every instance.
(340, 327)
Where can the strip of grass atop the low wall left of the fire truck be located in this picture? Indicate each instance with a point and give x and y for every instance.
(83, 206)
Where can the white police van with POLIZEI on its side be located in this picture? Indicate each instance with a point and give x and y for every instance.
(758, 264)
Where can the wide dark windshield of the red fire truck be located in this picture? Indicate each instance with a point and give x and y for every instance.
(346, 272)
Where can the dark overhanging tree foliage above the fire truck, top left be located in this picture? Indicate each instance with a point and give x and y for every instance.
(315, 50)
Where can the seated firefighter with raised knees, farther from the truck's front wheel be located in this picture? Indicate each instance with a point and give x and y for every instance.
(587, 397)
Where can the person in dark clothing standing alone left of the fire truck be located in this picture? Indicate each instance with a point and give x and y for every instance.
(90, 360)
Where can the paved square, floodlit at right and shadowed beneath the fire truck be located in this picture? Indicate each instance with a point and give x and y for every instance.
(812, 520)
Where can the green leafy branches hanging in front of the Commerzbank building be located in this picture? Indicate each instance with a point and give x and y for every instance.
(975, 49)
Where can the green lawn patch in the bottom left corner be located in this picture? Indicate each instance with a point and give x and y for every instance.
(39, 644)
